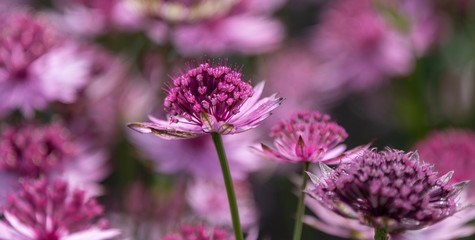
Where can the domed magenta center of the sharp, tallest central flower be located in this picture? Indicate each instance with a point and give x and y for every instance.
(217, 91)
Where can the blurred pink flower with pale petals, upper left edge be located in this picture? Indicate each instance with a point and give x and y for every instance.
(37, 65)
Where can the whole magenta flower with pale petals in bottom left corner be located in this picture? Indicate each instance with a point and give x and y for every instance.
(51, 210)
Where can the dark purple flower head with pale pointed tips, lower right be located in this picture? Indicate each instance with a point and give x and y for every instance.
(391, 189)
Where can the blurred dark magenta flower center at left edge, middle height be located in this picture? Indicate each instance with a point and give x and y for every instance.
(32, 150)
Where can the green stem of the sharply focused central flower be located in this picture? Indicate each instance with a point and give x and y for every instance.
(218, 143)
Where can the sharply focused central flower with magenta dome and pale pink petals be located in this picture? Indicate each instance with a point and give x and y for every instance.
(210, 99)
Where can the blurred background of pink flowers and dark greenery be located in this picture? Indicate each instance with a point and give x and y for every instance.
(388, 71)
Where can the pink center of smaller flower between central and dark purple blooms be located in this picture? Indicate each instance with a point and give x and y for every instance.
(316, 131)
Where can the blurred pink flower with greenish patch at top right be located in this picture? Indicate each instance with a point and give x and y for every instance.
(373, 40)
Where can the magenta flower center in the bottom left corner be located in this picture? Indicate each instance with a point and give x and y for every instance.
(51, 210)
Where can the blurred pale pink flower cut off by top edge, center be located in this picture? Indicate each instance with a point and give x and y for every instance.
(211, 26)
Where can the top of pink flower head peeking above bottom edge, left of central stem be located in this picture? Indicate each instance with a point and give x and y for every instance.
(200, 232)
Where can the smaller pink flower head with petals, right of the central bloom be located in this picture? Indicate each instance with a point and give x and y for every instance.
(306, 136)
